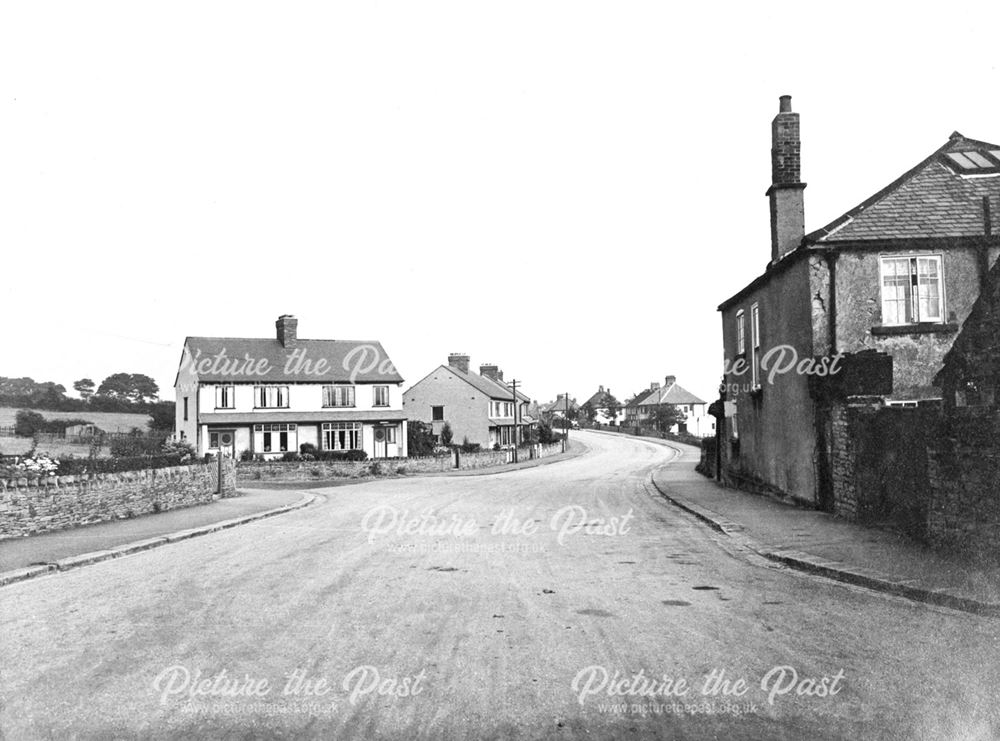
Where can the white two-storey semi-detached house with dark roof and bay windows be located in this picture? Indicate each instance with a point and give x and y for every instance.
(271, 396)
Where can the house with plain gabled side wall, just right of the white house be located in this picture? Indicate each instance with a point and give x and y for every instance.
(479, 407)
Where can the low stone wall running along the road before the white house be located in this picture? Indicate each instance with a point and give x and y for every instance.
(255, 471)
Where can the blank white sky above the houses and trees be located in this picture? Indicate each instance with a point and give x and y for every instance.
(565, 189)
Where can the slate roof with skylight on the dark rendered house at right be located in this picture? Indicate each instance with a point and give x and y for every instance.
(937, 198)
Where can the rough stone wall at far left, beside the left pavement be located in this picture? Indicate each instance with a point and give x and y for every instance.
(30, 506)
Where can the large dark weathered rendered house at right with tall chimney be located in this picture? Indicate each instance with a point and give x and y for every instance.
(892, 279)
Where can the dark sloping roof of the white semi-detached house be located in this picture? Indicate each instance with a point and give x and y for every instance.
(217, 359)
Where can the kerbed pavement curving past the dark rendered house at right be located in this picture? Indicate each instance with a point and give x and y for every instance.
(824, 544)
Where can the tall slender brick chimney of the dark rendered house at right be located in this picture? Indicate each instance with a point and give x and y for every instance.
(787, 210)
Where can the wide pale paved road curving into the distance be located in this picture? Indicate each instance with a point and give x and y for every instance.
(483, 630)
